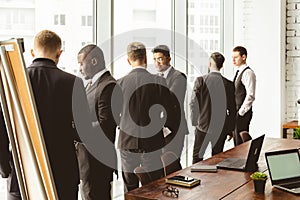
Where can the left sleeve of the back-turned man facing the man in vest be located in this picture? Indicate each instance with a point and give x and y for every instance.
(194, 104)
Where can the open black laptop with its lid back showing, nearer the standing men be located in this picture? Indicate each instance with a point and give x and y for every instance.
(241, 164)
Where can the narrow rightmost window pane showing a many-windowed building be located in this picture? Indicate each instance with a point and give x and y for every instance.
(203, 37)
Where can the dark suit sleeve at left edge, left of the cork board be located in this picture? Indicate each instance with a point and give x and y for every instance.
(4, 148)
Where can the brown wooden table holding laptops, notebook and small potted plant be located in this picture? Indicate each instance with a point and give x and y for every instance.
(225, 184)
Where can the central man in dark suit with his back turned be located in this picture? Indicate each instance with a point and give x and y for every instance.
(141, 138)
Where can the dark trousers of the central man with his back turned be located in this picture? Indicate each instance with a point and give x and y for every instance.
(131, 159)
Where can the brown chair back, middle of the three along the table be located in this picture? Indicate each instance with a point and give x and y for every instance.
(170, 162)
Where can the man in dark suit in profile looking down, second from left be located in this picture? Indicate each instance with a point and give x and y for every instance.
(105, 102)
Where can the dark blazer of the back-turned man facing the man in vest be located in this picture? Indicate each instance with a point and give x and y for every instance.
(213, 107)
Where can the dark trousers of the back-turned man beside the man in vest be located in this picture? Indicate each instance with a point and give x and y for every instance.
(202, 140)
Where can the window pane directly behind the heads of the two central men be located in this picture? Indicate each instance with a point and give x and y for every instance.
(146, 21)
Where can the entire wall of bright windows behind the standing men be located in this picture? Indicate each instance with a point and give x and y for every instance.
(191, 28)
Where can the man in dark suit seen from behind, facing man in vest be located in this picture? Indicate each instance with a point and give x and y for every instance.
(213, 109)
